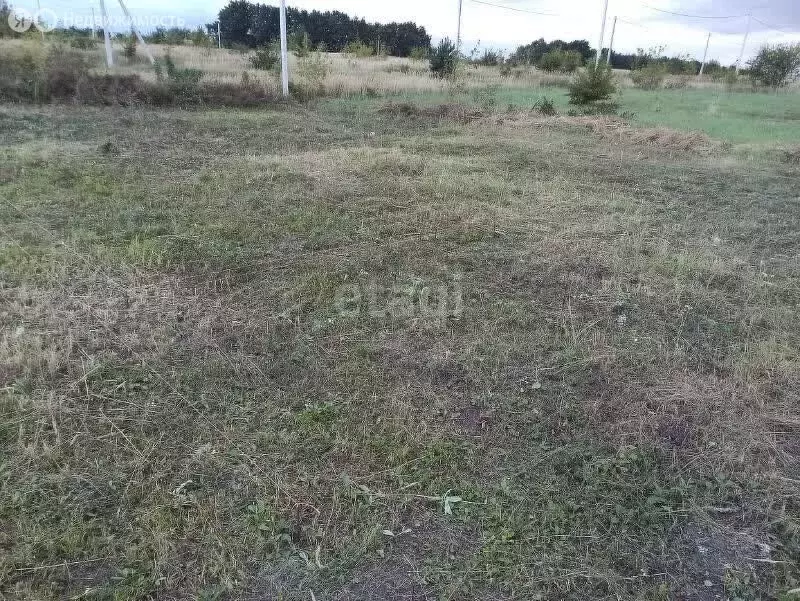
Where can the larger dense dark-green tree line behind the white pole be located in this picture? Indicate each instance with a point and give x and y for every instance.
(254, 25)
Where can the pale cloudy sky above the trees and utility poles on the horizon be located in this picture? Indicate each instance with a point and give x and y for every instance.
(499, 26)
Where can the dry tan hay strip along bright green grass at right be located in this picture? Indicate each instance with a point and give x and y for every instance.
(615, 129)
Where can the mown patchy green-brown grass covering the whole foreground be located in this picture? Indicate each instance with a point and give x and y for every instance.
(359, 350)
